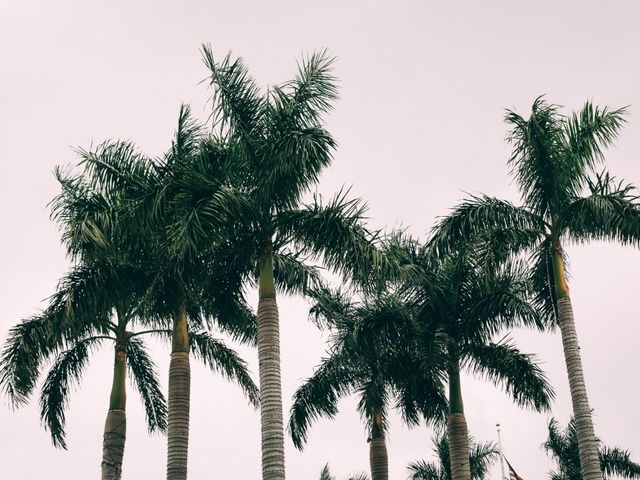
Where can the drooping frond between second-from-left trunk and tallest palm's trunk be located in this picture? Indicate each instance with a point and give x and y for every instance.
(221, 359)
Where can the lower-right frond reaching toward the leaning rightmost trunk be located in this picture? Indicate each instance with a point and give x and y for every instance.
(518, 373)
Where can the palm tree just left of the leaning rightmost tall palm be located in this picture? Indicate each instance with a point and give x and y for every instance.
(464, 300)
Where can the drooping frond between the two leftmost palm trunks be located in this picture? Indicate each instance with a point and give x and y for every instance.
(143, 372)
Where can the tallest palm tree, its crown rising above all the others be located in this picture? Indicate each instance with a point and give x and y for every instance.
(279, 147)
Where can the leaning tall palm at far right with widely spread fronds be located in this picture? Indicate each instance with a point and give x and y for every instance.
(553, 161)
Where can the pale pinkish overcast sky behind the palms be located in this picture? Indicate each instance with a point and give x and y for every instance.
(423, 88)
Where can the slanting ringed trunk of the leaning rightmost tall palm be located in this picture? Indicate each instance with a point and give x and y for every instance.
(587, 446)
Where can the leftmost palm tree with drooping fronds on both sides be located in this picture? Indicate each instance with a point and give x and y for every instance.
(77, 321)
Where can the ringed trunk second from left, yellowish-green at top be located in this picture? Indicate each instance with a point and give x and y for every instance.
(179, 398)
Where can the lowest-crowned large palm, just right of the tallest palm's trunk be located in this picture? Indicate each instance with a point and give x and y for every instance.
(370, 356)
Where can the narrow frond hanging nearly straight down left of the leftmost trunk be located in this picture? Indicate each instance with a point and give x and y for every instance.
(66, 371)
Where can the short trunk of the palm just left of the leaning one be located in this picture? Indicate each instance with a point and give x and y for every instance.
(457, 432)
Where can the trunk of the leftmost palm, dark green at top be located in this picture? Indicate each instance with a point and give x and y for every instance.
(115, 427)
